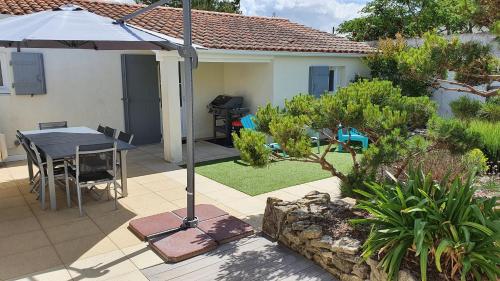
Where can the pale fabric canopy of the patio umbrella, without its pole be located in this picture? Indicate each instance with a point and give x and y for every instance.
(70, 26)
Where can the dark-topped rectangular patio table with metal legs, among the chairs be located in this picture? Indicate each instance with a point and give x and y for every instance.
(61, 143)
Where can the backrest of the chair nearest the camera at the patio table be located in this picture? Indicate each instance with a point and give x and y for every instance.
(95, 158)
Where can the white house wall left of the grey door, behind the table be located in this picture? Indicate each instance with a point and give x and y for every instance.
(84, 87)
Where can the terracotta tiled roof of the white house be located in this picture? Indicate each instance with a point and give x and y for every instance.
(211, 29)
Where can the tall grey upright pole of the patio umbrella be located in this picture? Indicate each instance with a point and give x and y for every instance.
(191, 220)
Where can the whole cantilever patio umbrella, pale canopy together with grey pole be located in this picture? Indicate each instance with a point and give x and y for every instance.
(70, 26)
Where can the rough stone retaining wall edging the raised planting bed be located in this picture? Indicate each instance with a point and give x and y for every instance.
(292, 224)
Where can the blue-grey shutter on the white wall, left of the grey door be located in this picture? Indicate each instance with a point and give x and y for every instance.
(29, 75)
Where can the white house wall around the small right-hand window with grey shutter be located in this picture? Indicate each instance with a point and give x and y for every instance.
(291, 74)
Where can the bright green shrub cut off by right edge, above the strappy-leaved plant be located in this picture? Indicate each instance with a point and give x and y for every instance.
(489, 133)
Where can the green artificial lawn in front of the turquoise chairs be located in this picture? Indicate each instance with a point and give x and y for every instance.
(235, 173)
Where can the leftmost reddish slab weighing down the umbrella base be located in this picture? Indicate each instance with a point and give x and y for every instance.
(146, 226)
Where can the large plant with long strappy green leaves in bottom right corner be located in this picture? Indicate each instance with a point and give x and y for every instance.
(436, 223)
